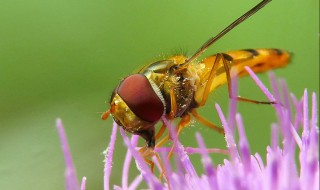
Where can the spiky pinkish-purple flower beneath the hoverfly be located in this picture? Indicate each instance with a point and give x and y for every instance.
(244, 170)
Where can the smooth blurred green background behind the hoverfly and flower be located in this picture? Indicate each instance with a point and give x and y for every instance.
(63, 58)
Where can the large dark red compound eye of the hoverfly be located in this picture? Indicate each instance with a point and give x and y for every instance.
(138, 94)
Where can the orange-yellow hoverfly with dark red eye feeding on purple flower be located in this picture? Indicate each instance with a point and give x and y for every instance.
(175, 87)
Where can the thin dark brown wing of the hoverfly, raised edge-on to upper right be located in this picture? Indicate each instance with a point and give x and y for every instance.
(208, 43)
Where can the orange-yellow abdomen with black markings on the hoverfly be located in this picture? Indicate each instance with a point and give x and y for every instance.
(259, 60)
